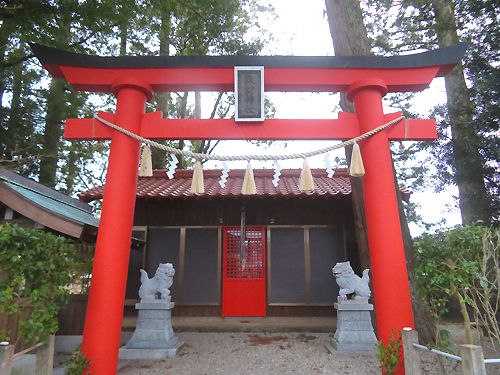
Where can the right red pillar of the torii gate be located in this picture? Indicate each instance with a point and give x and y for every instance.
(388, 262)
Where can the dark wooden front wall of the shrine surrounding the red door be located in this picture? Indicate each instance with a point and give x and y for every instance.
(307, 214)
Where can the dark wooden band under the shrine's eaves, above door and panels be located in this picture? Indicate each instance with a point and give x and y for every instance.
(259, 211)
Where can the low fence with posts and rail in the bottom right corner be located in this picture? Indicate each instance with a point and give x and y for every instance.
(471, 356)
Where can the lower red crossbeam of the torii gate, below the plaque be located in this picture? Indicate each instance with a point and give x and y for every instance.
(158, 128)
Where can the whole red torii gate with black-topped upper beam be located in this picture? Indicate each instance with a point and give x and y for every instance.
(133, 79)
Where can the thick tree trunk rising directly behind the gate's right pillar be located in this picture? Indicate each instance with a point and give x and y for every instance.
(350, 37)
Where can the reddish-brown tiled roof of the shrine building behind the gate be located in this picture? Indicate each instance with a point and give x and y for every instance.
(159, 186)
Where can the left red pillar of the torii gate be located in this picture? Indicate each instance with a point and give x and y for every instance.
(103, 322)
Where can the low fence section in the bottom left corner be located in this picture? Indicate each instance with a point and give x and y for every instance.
(44, 352)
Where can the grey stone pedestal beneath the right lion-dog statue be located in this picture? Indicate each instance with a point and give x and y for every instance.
(354, 327)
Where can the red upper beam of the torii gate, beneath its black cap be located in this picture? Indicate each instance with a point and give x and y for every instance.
(309, 79)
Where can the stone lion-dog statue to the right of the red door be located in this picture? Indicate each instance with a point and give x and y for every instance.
(349, 282)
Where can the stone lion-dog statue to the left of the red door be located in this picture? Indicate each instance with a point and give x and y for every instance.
(158, 284)
